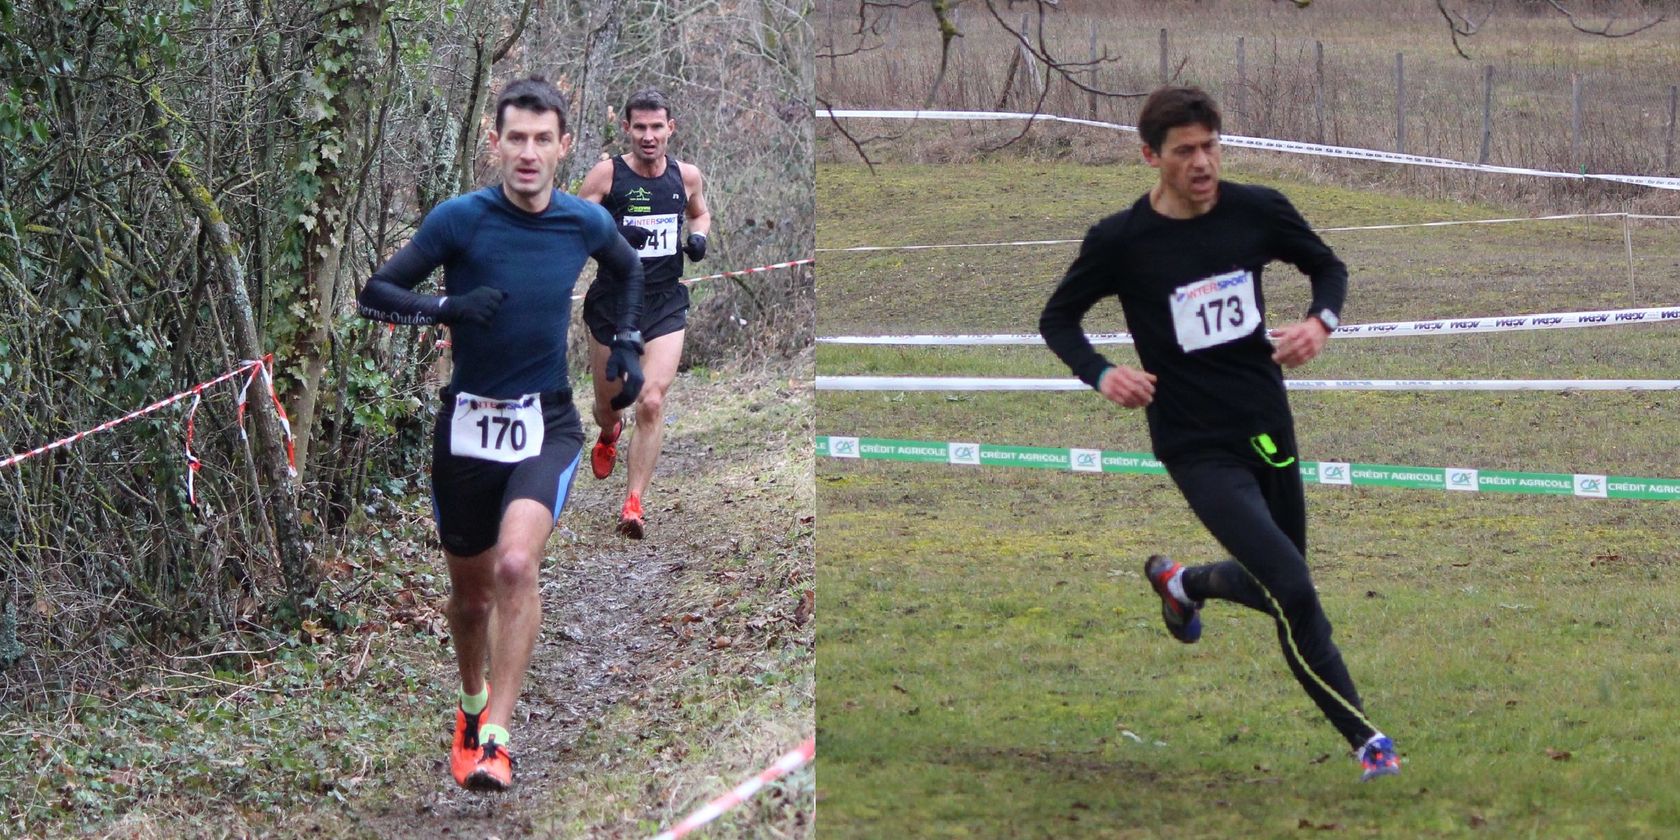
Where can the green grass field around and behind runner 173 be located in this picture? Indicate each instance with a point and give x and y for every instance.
(992, 663)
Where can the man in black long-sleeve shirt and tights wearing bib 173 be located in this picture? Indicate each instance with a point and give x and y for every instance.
(1187, 263)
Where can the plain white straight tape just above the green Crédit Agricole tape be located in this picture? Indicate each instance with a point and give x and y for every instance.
(1005, 384)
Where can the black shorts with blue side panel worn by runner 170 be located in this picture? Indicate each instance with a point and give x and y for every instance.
(470, 496)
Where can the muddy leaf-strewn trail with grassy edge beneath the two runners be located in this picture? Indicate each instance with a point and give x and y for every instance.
(639, 633)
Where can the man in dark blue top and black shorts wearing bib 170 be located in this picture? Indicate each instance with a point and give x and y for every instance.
(508, 439)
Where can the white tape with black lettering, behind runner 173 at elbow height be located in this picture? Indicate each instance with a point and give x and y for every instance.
(1382, 330)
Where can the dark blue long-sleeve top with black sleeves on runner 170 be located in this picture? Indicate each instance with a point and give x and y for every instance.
(483, 239)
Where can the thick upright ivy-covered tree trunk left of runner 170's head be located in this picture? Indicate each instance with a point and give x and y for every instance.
(330, 164)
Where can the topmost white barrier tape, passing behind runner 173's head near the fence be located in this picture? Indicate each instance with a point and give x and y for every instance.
(1266, 144)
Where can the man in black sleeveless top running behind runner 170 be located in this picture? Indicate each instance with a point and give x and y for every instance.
(653, 197)
